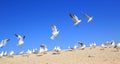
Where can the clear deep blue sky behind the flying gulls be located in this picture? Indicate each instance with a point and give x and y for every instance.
(33, 18)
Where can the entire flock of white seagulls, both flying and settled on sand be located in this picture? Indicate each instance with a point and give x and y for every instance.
(43, 48)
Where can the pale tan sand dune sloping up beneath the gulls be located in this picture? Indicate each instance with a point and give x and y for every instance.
(86, 56)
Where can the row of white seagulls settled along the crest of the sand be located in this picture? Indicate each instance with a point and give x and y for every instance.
(57, 49)
